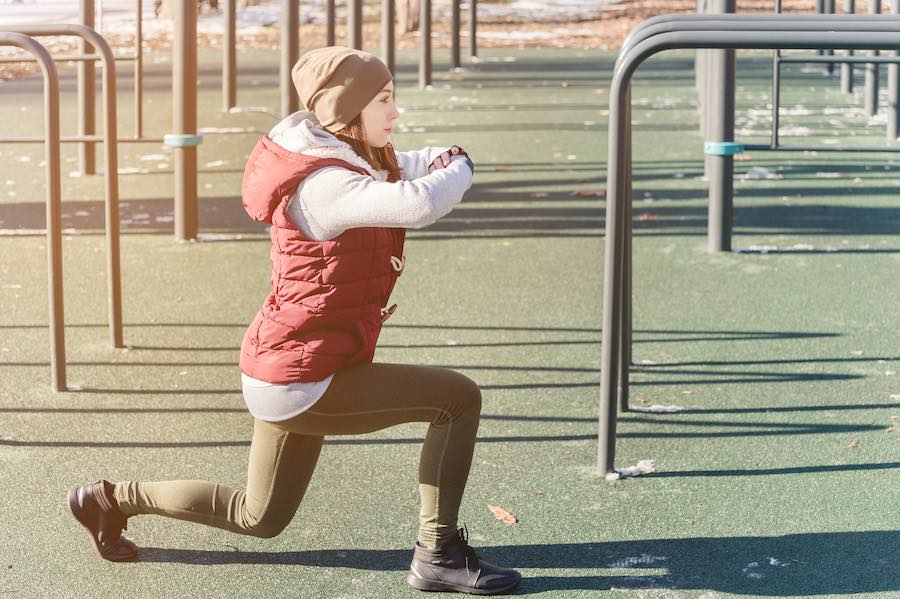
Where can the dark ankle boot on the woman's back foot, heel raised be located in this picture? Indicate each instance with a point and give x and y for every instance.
(95, 508)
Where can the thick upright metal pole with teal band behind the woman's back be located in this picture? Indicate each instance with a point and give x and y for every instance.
(184, 117)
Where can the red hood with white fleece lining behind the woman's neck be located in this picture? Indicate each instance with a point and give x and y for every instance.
(271, 175)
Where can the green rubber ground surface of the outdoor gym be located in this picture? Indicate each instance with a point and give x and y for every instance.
(779, 478)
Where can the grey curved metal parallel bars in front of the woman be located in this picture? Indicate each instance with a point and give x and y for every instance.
(769, 32)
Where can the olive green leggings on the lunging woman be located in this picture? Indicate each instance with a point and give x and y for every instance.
(360, 399)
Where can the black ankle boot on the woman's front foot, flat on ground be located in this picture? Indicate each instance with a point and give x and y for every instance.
(455, 566)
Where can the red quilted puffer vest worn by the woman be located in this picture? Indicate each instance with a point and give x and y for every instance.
(324, 310)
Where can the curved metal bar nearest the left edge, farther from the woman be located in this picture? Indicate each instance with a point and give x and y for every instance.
(54, 208)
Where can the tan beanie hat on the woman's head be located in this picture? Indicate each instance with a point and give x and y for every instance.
(337, 82)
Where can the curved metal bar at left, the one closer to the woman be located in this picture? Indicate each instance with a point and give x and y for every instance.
(110, 143)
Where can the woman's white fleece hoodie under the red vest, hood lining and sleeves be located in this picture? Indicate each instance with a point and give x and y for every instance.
(334, 199)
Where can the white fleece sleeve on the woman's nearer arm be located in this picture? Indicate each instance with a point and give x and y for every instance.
(335, 199)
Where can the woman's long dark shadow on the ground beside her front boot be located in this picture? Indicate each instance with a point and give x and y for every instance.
(839, 563)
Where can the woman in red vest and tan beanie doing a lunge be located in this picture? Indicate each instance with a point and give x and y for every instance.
(338, 199)
